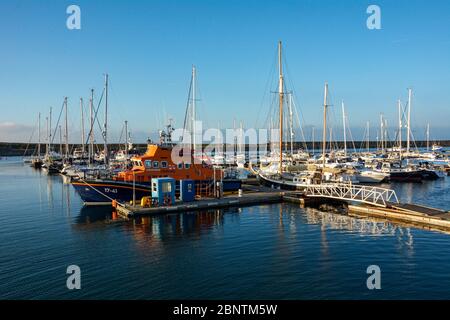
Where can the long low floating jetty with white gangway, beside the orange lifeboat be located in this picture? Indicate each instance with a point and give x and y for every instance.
(357, 200)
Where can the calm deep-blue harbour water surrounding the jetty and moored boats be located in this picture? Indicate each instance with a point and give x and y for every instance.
(267, 252)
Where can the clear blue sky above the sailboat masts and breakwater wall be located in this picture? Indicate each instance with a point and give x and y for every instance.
(148, 48)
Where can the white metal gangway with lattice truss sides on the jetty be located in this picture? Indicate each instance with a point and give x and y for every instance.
(376, 196)
